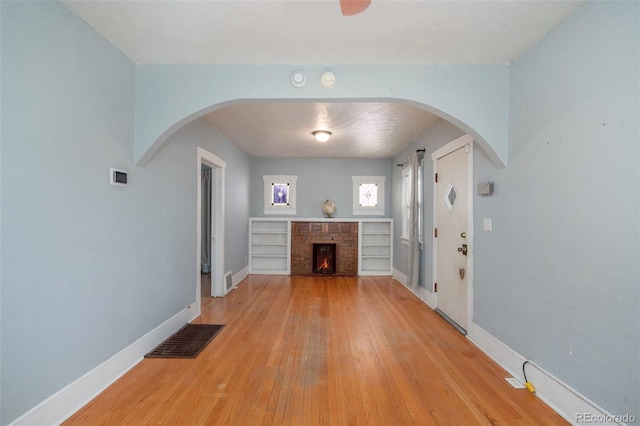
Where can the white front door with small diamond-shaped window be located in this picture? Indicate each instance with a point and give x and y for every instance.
(452, 208)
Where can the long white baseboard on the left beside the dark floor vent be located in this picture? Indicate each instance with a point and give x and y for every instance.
(61, 405)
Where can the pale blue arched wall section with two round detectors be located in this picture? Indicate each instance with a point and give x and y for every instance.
(473, 97)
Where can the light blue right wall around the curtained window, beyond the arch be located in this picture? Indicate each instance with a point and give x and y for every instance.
(432, 139)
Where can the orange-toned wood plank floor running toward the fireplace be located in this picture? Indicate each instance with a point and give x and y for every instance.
(320, 351)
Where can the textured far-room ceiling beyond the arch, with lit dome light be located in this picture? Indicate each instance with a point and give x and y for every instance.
(359, 130)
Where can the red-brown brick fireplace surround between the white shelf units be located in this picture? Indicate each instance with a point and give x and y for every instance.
(343, 234)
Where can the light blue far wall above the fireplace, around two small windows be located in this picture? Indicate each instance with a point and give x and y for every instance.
(318, 180)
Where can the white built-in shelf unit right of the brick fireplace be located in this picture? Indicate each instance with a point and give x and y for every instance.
(375, 247)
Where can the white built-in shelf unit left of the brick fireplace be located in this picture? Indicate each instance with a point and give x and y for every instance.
(269, 246)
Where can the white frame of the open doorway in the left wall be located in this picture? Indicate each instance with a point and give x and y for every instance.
(218, 168)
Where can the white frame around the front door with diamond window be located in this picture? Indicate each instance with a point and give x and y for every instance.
(450, 147)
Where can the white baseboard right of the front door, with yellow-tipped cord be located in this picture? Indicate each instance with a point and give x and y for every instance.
(563, 399)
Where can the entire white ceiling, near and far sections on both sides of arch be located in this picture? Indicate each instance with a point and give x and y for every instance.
(315, 32)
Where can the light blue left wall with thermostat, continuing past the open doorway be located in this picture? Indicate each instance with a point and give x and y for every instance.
(88, 268)
